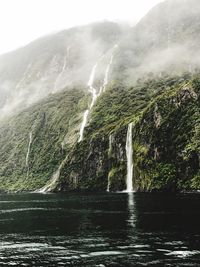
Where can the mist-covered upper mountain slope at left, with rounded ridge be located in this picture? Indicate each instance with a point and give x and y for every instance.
(53, 62)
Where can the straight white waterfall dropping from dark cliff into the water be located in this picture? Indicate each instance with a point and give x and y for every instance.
(129, 155)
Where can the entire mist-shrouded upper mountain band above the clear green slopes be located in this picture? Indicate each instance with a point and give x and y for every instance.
(163, 41)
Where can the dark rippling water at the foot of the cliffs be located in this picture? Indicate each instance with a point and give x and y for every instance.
(100, 230)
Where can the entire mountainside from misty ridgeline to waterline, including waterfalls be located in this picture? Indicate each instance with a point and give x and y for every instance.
(105, 106)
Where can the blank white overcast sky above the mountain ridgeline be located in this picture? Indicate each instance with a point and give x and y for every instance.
(22, 21)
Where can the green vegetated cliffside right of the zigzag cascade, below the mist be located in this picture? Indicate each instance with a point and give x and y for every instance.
(165, 112)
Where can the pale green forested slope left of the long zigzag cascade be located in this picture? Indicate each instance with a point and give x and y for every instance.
(51, 122)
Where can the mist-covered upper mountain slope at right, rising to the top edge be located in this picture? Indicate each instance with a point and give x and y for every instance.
(167, 39)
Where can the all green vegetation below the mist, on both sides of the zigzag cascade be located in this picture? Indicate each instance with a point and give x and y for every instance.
(166, 132)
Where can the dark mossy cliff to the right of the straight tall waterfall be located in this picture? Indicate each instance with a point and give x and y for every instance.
(167, 154)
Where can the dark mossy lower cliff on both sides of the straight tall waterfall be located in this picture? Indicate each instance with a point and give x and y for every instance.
(165, 155)
